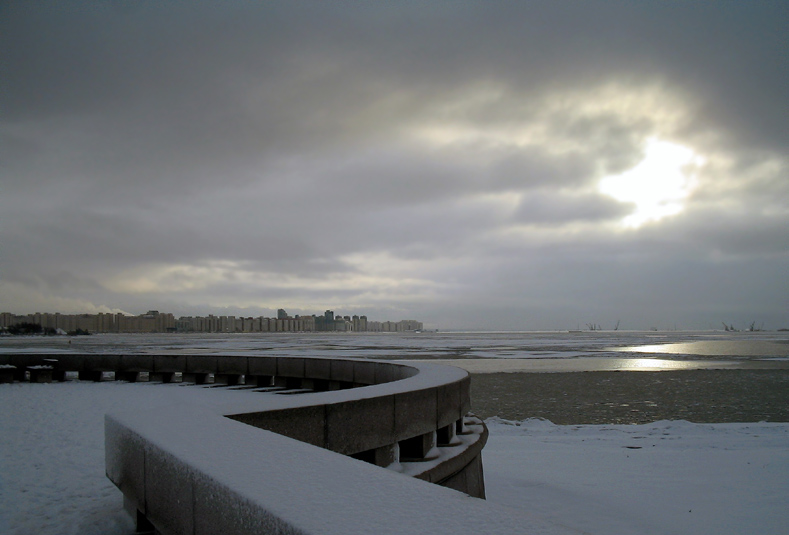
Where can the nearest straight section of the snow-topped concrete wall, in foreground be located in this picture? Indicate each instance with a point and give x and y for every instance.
(261, 482)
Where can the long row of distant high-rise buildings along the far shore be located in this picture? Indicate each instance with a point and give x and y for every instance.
(159, 322)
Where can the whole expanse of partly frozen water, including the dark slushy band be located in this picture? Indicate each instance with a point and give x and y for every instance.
(697, 376)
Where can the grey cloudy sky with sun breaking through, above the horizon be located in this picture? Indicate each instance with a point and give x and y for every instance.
(473, 165)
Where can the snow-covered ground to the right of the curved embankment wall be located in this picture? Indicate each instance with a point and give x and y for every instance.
(659, 478)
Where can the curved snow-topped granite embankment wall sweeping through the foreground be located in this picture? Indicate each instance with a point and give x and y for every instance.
(187, 469)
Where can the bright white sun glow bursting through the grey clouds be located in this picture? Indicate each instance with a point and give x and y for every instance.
(658, 185)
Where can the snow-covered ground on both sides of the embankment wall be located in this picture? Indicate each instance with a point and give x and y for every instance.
(660, 478)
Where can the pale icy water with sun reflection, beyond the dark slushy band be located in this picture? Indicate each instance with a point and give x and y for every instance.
(479, 352)
